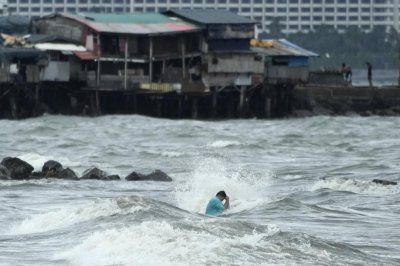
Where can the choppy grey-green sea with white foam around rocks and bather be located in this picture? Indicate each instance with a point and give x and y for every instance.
(300, 189)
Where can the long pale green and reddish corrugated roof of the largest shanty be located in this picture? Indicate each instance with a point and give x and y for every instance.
(151, 24)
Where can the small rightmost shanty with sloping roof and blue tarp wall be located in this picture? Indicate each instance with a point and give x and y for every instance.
(285, 62)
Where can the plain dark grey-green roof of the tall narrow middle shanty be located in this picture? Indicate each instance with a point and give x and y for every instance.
(211, 16)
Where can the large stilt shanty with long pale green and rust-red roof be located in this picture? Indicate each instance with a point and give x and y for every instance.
(127, 50)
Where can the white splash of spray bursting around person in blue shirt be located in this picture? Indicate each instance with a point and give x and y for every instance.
(211, 175)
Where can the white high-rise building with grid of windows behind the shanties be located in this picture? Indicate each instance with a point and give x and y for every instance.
(295, 15)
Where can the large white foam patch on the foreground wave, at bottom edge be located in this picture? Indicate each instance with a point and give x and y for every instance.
(160, 243)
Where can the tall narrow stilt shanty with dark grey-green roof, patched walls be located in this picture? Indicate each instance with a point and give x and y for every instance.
(227, 61)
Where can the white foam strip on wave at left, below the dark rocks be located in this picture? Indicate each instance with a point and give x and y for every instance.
(69, 215)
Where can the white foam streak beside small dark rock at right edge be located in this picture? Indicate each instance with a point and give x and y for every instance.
(355, 186)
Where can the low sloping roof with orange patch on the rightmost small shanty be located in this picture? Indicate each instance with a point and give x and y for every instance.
(283, 47)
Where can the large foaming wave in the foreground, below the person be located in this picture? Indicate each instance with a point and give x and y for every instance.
(209, 242)
